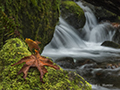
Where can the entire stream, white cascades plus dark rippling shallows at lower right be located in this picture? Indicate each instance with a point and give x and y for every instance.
(85, 44)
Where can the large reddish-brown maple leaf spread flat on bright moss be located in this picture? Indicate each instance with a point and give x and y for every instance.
(35, 60)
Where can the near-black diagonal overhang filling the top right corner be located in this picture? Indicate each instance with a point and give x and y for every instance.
(111, 5)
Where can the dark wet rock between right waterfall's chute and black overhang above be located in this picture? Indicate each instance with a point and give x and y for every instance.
(101, 13)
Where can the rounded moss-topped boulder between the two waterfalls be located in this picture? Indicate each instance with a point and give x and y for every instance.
(73, 14)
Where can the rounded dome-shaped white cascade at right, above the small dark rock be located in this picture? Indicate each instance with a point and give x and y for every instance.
(102, 32)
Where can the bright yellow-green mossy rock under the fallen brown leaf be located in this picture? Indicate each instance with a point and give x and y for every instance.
(54, 79)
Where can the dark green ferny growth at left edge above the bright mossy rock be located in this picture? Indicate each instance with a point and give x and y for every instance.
(7, 27)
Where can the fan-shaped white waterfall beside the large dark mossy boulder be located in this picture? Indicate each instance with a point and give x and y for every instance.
(66, 36)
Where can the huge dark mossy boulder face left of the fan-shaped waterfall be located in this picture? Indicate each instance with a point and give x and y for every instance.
(37, 18)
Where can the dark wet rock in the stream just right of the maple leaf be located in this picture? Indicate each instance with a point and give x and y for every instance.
(66, 62)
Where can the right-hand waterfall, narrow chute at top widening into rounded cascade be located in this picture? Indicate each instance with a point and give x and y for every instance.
(95, 32)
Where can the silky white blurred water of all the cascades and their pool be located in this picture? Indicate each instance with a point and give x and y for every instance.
(69, 42)
